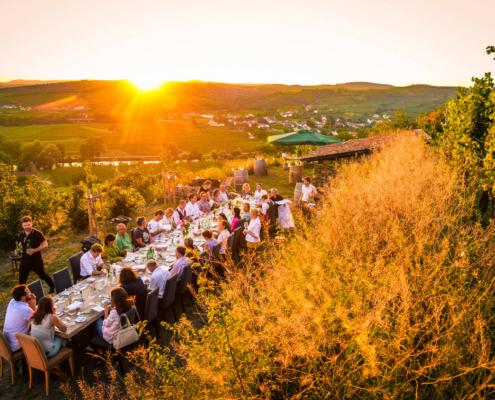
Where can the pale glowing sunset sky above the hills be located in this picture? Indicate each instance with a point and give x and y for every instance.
(309, 42)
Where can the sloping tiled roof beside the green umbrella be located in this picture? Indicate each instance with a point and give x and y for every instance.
(350, 148)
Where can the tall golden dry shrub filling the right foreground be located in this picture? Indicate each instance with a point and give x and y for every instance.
(387, 294)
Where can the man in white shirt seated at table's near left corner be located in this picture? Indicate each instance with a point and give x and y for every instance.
(18, 316)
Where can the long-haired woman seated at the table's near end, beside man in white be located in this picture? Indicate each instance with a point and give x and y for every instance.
(43, 323)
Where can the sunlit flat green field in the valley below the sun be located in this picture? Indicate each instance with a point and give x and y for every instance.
(137, 138)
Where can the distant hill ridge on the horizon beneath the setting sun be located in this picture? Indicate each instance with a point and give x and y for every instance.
(107, 97)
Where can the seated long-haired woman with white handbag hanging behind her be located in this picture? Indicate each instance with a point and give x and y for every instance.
(107, 326)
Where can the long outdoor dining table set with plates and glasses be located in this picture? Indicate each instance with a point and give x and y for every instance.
(83, 303)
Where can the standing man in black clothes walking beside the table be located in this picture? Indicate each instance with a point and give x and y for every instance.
(32, 242)
